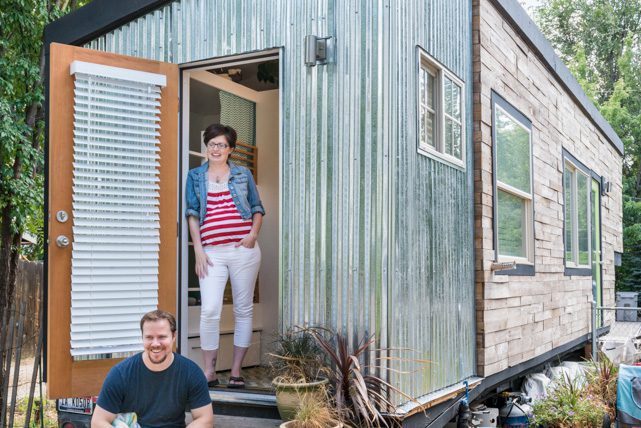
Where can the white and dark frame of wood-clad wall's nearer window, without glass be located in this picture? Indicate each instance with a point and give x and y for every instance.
(524, 265)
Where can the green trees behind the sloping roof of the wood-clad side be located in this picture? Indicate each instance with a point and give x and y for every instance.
(600, 41)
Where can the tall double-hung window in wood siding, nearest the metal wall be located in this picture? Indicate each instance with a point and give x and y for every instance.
(512, 141)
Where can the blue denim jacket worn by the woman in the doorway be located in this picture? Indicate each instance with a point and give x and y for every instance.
(241, 186)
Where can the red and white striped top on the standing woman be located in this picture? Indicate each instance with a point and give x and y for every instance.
(223, 223)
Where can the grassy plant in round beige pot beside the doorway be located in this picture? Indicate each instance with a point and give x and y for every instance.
(299, 369)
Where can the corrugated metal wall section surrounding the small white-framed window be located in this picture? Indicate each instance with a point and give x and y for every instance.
(431, 305)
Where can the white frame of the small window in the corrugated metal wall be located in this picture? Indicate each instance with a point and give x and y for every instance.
(438, 71)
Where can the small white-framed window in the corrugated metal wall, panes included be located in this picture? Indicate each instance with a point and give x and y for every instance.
(441, 112)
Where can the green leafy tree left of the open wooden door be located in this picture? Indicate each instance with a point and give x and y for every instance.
(22, 71)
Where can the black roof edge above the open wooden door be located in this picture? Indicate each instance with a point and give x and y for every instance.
(95, 19)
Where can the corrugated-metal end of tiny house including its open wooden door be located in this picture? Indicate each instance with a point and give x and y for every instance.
(369, 216)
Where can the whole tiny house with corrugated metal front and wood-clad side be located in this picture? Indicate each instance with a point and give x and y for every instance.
(370, 128)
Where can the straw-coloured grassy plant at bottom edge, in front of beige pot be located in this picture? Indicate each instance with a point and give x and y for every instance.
(315, 413)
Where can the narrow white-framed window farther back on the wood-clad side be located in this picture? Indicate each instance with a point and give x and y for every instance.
(576, 190)
